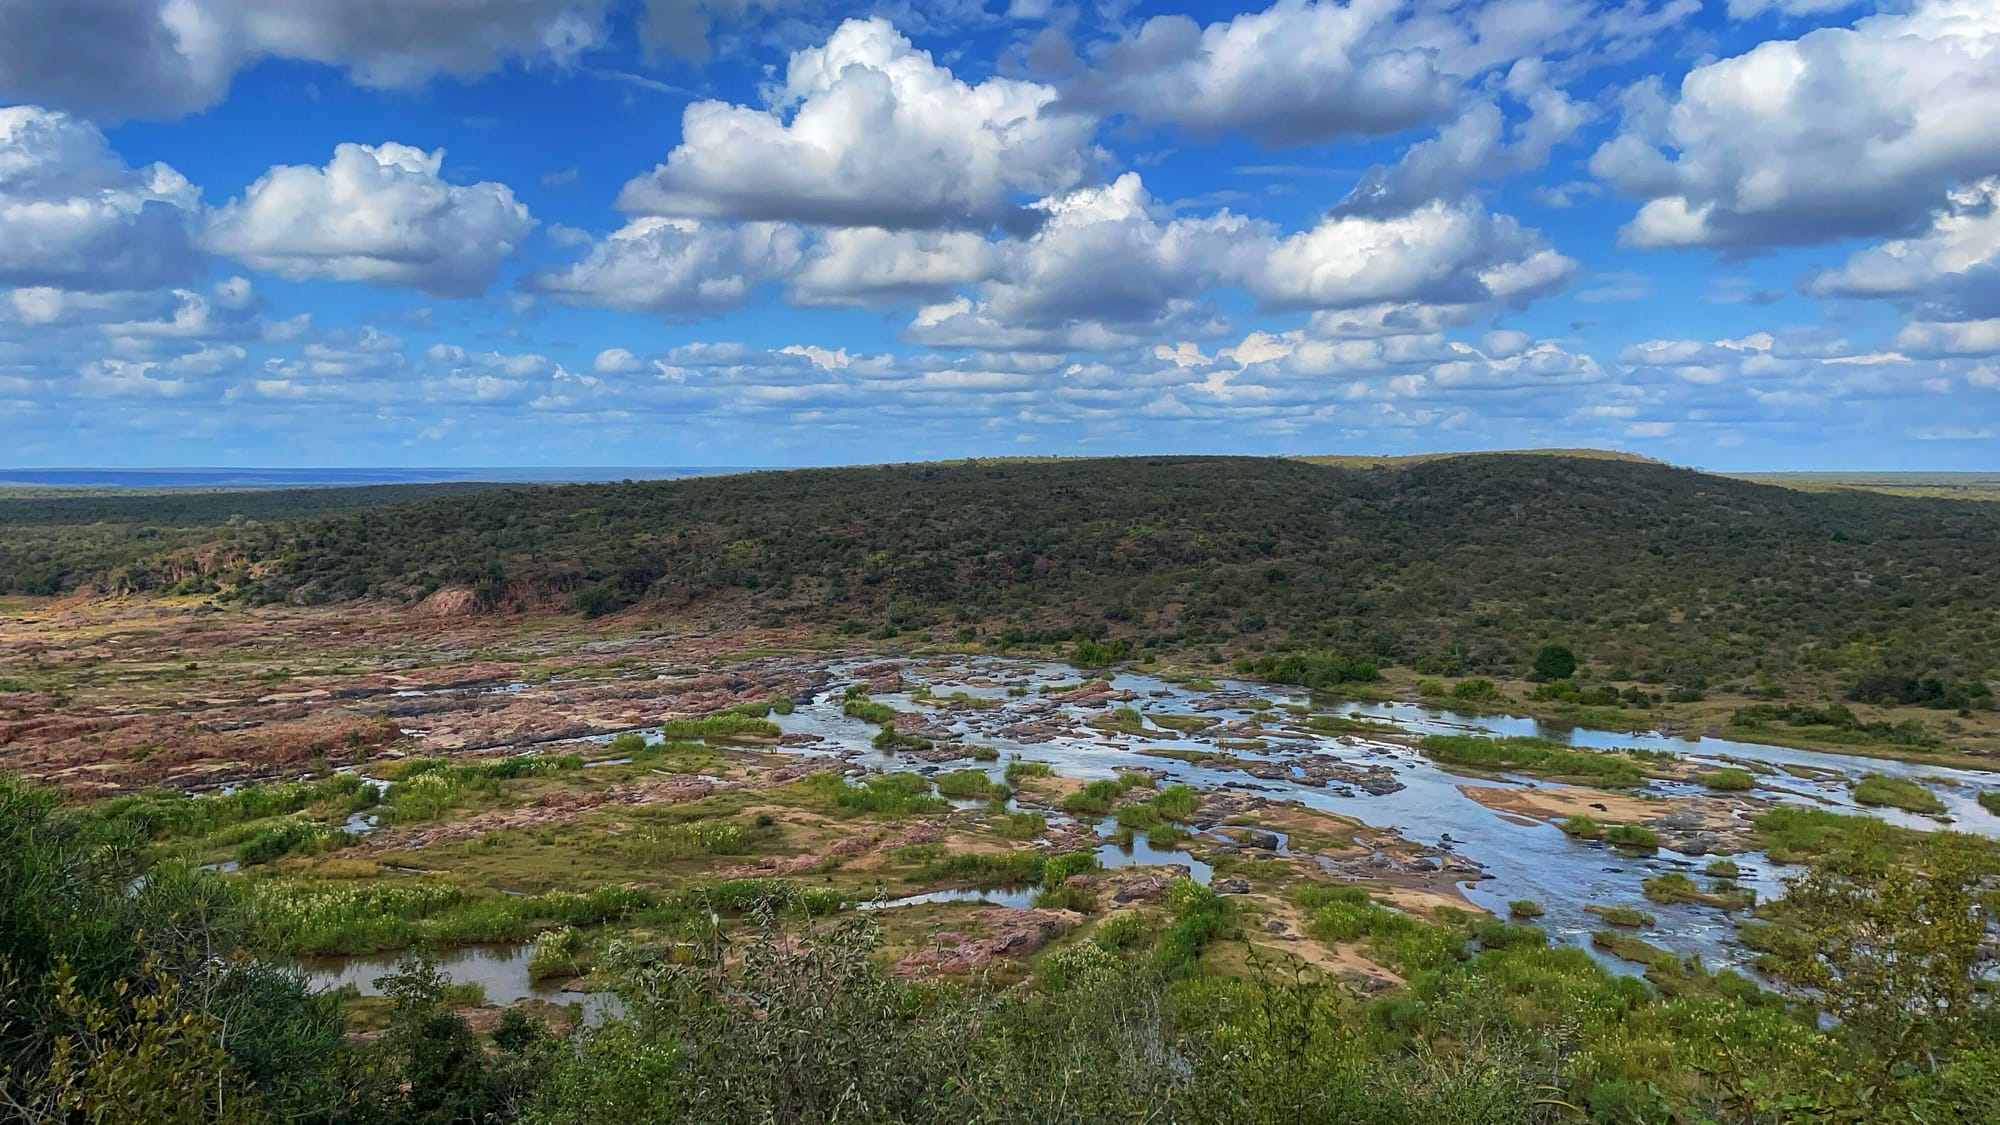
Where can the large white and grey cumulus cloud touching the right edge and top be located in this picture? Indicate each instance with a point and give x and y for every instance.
(1839, 133)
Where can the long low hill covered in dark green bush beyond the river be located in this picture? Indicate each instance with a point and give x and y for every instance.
(1457, 564)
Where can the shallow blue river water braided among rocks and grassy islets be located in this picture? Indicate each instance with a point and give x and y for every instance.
(1519, 860)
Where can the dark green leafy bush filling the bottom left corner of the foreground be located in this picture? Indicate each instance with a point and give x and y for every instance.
(127, 992)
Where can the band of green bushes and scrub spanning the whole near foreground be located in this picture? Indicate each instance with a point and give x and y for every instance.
(141, 992)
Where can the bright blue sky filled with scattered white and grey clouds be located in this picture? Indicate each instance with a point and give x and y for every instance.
(1737, 235)
